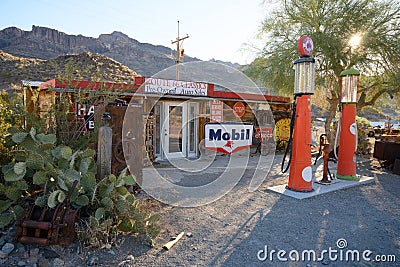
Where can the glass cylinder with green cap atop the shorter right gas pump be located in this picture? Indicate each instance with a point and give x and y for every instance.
(349, 81)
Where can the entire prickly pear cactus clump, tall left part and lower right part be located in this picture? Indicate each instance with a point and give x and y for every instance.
(51, 169)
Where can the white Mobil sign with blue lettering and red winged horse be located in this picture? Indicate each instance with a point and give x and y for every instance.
(227, 137)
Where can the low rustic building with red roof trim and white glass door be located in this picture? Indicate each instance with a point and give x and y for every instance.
(169, 115)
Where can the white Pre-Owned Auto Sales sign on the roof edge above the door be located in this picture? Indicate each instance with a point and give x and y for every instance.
(172, 87)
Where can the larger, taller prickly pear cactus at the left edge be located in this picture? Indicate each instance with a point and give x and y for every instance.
(49, 168)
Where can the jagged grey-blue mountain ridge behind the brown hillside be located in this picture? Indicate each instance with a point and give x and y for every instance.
(45, 43)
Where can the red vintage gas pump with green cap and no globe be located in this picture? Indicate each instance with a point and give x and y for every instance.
(346, 169)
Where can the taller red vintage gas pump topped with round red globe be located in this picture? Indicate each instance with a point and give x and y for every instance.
(300, 175)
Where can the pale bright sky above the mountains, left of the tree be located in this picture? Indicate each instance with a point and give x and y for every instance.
(217, 29)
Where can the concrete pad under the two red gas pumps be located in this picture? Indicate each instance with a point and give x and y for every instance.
(319, 189)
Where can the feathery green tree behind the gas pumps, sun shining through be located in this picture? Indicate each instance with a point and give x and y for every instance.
(332, 24)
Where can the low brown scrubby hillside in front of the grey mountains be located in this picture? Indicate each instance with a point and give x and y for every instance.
(95, 67)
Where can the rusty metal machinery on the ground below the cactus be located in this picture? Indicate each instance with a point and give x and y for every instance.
(45, 226)
